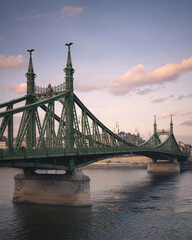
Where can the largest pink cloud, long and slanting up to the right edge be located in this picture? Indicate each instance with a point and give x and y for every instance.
(139, 76)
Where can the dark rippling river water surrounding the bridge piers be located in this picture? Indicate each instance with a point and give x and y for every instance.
(126, 204)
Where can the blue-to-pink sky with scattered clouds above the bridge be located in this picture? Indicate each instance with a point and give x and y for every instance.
(132, 58)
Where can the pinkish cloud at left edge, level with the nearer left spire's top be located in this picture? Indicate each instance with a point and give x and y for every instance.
(12, 62)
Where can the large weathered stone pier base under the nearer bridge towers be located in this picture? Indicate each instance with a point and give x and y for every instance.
(69, 189)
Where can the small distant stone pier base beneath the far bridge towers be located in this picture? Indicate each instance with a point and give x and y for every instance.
(164, 167)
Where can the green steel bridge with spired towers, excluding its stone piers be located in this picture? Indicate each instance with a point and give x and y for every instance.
(59, 132)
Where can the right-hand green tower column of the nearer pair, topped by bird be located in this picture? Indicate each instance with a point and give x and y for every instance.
(69, 101)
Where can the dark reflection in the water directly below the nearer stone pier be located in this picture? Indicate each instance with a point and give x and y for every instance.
(51, 222)
